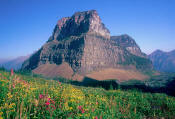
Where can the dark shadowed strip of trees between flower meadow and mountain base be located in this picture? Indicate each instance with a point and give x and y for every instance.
(168, 88)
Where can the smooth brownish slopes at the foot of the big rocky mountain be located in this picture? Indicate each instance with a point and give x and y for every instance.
(52, 70)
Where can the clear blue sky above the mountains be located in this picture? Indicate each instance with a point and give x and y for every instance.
(25, 25)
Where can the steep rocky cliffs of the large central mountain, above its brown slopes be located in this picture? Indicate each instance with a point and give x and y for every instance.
(84, 43)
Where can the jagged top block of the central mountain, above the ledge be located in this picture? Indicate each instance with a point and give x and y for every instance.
(79, 23)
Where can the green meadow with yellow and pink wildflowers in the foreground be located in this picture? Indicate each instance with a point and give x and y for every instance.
(31, 97)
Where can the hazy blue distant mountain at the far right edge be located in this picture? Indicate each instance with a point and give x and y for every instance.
(163, 61)
